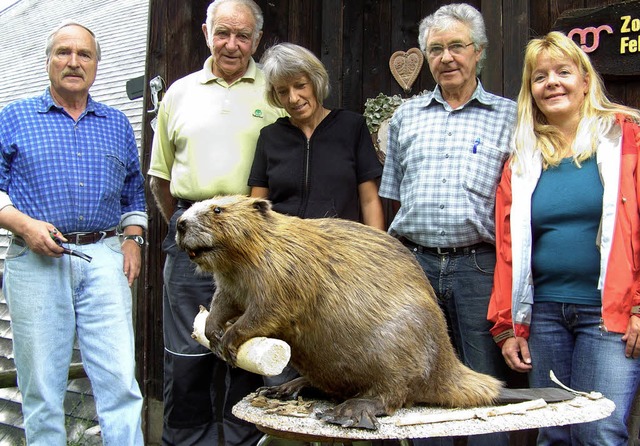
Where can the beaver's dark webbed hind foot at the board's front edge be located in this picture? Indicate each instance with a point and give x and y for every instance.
(355, 412)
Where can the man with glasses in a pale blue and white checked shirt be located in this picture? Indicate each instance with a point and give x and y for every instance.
(445, 154)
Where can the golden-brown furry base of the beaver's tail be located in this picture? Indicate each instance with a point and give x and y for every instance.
(467, 388)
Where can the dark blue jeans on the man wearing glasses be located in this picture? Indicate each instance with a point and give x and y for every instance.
(463, 283)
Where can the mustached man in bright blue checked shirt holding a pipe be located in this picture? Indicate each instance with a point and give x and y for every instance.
(70, 182)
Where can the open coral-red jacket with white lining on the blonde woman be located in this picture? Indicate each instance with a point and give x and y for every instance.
(620, 244)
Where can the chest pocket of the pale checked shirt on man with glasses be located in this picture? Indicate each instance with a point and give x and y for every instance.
(482, 167)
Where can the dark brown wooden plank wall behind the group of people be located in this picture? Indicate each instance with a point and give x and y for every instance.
(354, 38)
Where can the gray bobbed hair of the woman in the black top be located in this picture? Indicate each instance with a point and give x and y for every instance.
(286, 61)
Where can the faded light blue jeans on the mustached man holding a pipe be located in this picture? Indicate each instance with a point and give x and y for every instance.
(51, 300)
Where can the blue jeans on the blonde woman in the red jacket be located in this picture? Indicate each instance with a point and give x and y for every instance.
(567, 339)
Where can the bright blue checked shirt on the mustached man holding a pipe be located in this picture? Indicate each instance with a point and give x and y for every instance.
(80, 176)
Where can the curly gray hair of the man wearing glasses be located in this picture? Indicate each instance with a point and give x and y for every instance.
(447, 16)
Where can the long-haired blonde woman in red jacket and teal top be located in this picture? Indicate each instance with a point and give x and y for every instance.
(566, 291)
